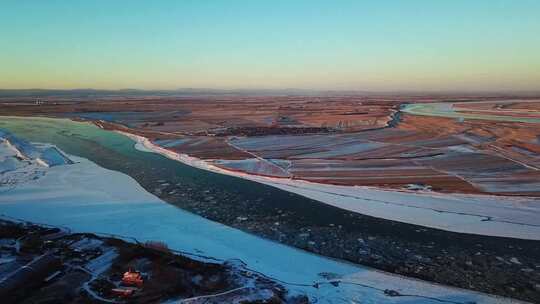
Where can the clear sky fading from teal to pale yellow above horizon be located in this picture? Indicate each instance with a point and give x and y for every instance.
(384, 45)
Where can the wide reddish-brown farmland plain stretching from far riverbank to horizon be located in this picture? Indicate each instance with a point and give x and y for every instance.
(346, 140)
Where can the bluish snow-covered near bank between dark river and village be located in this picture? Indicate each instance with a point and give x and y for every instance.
(87, 198)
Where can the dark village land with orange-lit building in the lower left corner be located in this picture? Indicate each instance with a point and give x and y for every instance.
(41, 264)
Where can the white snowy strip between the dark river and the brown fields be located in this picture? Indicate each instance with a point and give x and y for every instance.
(516, 217)
